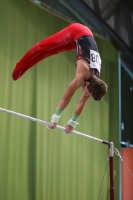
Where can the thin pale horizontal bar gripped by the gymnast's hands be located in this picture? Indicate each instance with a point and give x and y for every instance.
(59, 127)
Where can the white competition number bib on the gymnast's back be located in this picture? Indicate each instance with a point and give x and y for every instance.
(95, 60)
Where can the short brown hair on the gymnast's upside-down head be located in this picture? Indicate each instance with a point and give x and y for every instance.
(97, 87)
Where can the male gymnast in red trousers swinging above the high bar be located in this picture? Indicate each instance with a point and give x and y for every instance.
(88, 64)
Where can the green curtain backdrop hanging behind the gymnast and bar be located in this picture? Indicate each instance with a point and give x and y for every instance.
(41, 164)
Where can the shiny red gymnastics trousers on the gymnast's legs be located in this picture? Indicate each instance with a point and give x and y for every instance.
(63, 40)
